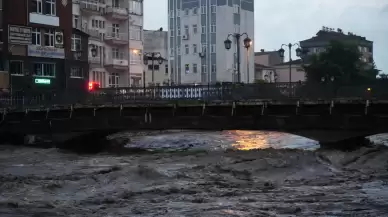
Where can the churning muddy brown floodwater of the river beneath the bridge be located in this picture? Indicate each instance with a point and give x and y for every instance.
(190, 174)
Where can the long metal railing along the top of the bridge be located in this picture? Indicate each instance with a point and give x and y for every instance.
(232, 92)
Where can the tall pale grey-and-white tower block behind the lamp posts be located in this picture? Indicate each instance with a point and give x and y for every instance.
(197, 31)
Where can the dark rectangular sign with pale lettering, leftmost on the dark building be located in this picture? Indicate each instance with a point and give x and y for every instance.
(20, 35)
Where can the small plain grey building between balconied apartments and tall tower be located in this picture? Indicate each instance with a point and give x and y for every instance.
(156, 42)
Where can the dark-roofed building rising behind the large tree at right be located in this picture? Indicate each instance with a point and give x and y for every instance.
(324, 36)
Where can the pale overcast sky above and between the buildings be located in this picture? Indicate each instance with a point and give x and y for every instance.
(284, 21)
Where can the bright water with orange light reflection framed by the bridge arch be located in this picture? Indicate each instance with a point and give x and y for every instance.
(221, 140)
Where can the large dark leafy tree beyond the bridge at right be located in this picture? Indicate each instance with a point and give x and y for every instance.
(342, 62)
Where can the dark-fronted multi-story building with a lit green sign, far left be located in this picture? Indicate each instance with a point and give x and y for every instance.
(41, 51)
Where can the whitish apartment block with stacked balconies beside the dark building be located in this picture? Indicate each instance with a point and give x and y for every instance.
(116, 31)
